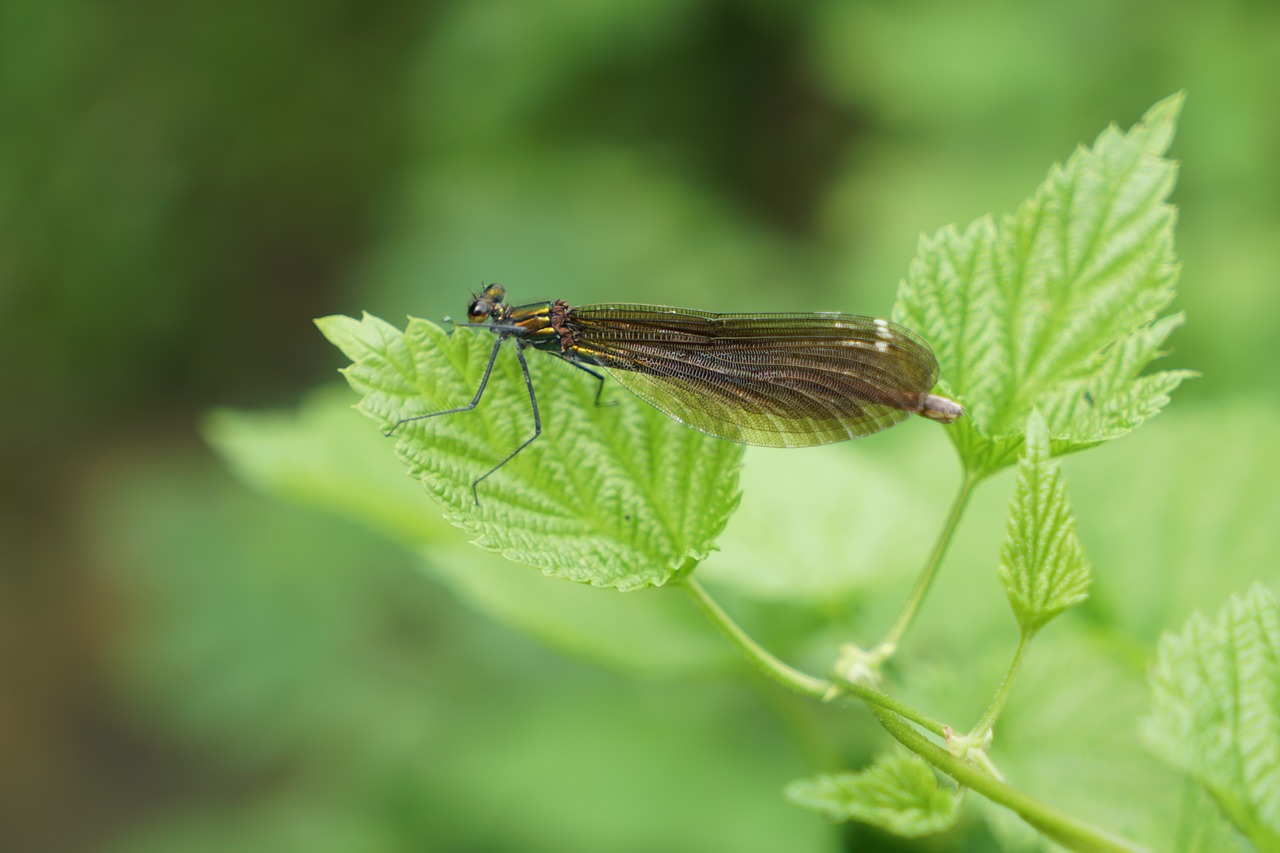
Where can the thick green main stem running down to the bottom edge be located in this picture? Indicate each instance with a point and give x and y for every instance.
(1069, 832)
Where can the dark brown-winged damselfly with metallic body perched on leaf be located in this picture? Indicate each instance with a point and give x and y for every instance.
(766, 380)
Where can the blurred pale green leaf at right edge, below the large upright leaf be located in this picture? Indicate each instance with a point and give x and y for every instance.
(1160, 513)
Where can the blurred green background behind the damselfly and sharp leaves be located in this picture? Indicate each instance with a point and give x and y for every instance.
(191, 664)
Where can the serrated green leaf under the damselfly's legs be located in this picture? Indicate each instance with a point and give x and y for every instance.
(615, 496)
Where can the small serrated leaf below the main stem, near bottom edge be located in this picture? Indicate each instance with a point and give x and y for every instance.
(898, 793)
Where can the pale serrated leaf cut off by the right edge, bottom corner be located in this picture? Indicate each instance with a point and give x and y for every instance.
(1217, 710)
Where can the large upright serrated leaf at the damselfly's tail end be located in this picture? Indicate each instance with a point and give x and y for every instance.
(1059, 305)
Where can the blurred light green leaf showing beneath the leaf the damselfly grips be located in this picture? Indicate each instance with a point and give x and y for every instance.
(322, 458)
